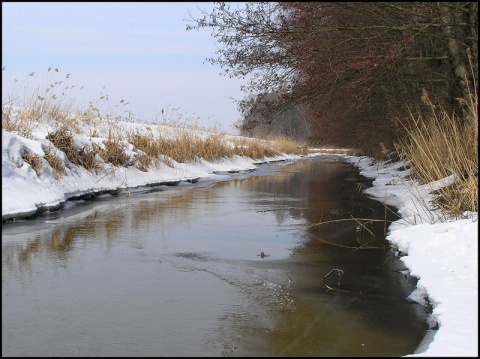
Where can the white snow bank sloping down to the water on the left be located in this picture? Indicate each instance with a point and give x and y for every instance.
(25, 193)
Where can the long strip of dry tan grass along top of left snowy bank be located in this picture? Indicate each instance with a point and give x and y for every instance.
(53, 106)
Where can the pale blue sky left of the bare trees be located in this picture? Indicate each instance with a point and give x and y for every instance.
(140, 52)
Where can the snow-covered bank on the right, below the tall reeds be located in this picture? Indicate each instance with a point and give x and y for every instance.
(443, 254)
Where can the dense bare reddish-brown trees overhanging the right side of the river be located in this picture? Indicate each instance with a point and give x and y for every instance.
(345, 73)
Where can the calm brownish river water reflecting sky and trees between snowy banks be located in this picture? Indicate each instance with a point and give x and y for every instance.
(179, 272)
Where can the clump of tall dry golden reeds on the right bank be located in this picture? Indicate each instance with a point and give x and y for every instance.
(445, 145)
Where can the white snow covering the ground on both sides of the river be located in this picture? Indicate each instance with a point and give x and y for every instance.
(442, 253)
